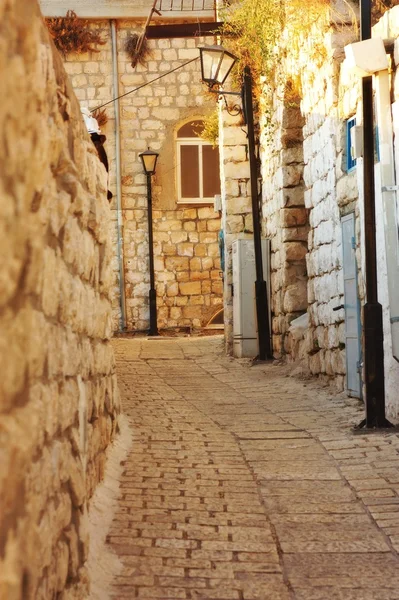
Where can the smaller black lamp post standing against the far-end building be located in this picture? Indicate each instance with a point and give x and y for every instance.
(149, 160)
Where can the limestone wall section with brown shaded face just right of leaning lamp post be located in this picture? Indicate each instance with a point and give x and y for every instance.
(286, 220)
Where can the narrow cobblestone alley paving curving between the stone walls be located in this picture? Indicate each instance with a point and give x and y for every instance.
(243, 483)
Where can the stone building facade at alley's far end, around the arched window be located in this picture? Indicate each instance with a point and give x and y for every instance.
(186, 252)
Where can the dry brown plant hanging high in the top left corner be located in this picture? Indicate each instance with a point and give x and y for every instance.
(71, 34)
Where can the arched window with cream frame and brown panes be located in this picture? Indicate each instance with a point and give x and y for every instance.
(198, 178)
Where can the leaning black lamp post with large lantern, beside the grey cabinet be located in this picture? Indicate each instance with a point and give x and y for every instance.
(216, 65)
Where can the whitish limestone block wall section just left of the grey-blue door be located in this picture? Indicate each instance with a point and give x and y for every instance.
(324, 260)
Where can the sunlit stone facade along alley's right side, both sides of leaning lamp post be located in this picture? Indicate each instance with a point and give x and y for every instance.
(307, 191)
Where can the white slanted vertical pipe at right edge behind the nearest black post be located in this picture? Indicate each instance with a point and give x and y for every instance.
(389, 196)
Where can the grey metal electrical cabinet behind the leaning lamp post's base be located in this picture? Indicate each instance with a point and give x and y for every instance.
(245, 339)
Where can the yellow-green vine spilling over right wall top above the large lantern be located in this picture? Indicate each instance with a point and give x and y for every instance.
(264, 34)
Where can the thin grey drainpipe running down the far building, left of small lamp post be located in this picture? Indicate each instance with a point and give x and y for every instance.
(119, 214)
